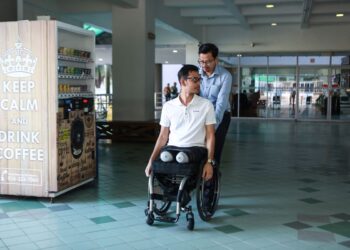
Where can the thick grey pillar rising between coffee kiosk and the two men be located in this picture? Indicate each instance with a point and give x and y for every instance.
(133, 62)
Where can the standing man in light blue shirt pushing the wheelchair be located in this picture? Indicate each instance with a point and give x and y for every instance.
(216, 86)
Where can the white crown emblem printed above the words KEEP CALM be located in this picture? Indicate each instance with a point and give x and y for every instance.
(18, 61)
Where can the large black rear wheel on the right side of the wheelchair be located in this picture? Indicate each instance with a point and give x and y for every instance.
(207, 195)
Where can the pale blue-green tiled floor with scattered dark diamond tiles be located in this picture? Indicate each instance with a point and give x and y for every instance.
(285, 185)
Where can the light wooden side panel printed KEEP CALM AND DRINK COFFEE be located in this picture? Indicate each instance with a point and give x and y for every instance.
(24, 123)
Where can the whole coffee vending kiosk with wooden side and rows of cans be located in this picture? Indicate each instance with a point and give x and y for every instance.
(47, 117)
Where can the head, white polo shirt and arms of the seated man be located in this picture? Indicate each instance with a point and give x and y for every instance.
(187, 121)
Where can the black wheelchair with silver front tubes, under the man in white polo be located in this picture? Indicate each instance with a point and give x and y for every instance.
(178, 188)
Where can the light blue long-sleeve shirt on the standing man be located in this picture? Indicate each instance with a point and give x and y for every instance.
(217, 88)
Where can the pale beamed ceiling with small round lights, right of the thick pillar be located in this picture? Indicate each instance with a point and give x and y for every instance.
(251, 13)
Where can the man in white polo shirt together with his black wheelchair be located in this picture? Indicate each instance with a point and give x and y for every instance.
(182, 156)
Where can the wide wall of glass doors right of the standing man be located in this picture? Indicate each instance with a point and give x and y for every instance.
(292, 87)
